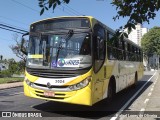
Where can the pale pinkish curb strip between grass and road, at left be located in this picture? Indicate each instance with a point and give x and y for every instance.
(10, 85)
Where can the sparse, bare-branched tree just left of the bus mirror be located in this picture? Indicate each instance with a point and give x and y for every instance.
(16, 48)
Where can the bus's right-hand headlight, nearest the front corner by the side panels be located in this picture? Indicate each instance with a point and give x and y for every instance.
(80, 85)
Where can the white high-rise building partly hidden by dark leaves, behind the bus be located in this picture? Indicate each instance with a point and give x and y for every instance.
(136, 34)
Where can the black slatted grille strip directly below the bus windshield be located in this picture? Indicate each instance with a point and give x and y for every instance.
(50, 73)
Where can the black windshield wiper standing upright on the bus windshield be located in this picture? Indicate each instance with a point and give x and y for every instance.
(68, 36)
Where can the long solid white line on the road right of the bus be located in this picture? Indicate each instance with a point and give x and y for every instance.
(129, 101)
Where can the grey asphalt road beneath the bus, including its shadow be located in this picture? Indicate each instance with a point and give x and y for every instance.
(13, 100)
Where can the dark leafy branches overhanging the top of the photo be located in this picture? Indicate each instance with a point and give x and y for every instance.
(138, 11)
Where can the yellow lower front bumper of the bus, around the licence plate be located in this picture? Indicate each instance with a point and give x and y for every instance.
(82, 96)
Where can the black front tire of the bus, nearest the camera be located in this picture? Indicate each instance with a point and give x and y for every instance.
(111, 90)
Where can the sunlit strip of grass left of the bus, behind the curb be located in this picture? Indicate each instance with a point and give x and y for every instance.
(11, 80)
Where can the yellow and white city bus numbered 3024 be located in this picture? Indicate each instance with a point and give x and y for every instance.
(78, 60)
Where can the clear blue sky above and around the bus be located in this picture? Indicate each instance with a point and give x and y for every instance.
(21, 13)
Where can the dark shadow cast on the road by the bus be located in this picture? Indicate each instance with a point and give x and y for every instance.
(99, 110)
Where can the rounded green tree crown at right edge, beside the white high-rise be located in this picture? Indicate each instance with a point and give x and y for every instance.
(151, 42)
